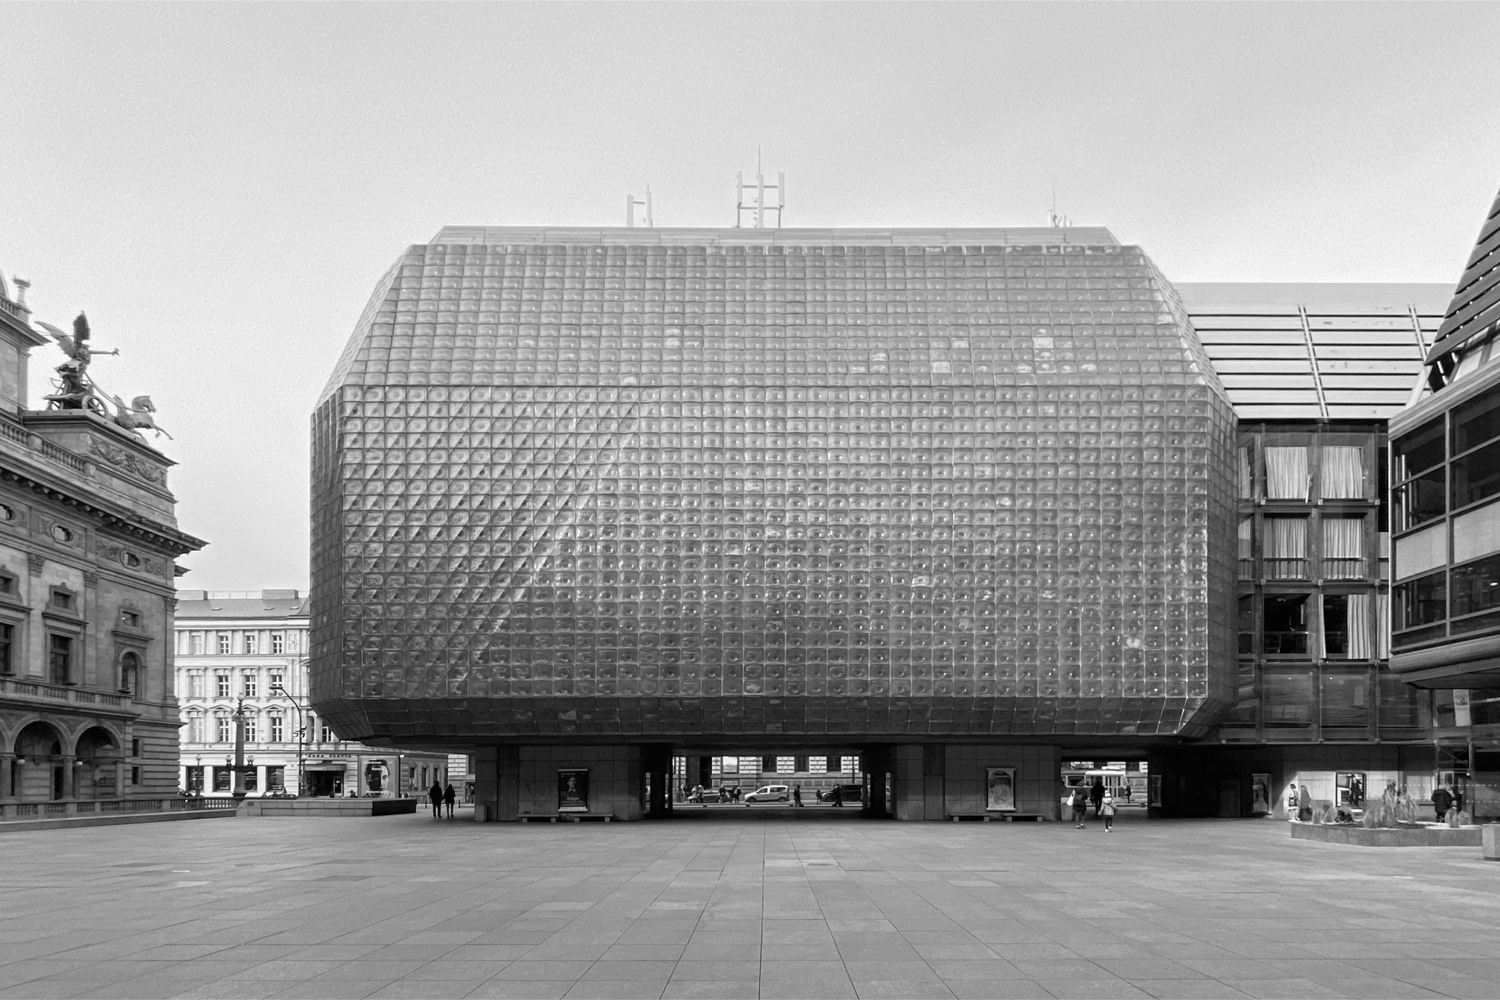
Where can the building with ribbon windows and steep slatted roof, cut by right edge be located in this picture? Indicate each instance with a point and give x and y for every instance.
(1445, 501)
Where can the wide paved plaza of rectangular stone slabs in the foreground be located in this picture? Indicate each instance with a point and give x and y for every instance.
(739, 903)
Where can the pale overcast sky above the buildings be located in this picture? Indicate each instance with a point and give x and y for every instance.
(221, 185)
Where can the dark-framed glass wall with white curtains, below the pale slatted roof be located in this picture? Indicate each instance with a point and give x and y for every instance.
(1315, 602)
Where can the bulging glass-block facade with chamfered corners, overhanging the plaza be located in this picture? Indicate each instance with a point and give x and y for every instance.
(838, 484)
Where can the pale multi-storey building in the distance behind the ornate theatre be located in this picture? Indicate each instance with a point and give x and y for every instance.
(248, 653)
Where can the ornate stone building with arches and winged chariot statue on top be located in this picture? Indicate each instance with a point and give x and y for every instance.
(88, 545)
